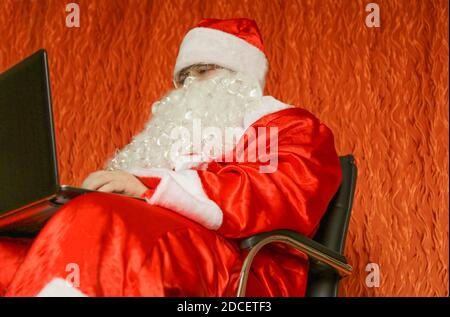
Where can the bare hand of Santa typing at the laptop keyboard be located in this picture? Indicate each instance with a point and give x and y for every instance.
(117, 181)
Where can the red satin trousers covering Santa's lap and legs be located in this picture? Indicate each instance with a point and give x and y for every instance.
(120, 246)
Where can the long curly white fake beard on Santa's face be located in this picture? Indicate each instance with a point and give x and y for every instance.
(221, 101)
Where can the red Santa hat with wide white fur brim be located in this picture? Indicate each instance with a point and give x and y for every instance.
(235, 44)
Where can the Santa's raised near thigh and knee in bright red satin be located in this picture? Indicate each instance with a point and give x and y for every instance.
(130, 247)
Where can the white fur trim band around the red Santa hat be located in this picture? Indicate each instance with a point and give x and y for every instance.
(211, 46)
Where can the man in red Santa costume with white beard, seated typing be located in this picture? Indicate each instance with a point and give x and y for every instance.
(216, 162)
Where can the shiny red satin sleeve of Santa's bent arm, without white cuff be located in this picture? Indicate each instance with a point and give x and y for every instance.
(295, 196)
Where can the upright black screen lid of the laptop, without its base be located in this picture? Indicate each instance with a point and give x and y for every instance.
(28, 166)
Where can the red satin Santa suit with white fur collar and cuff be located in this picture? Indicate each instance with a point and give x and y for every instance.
(184, 239)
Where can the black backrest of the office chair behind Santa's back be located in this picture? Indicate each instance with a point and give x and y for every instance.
(323, 280)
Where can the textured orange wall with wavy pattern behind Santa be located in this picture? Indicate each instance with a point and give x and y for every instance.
(384, 93)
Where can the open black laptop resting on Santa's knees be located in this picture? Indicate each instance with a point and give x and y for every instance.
(30, 192)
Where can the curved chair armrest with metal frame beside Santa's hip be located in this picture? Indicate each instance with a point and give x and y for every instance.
(301, 243)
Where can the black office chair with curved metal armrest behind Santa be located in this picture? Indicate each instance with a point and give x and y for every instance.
(327, 264)
